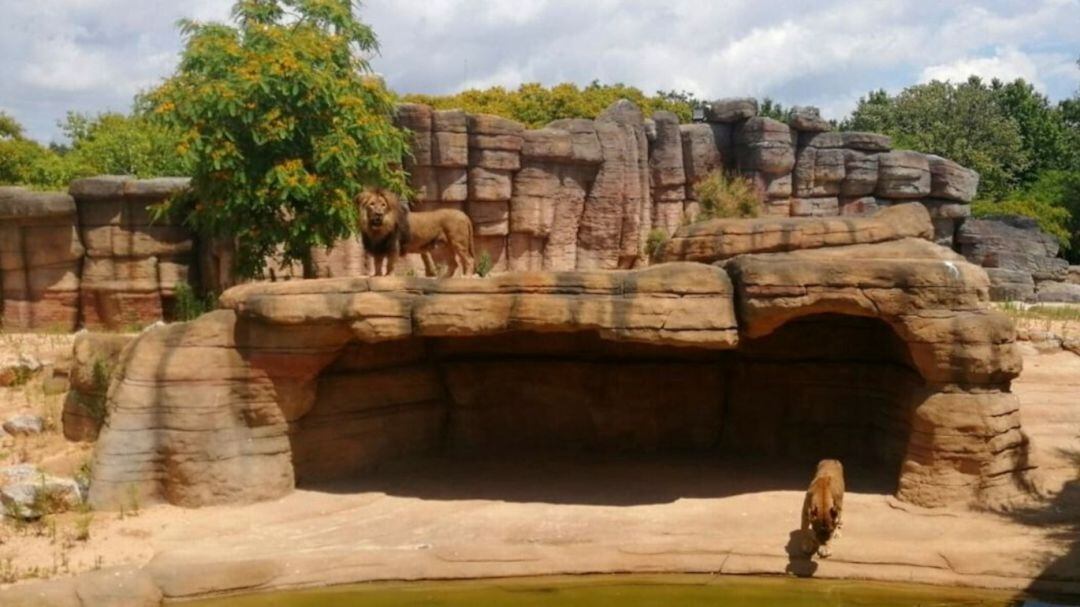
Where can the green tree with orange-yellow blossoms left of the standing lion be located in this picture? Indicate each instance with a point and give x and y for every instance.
(280, 126)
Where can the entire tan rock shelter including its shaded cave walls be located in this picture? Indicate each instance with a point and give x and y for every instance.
(880, 349)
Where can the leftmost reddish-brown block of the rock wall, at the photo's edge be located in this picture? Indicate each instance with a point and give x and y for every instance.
(40, 261)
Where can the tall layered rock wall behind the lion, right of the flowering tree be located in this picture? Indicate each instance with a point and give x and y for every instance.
(586, 194)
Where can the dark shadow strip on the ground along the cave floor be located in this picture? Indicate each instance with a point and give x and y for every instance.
(593, 480)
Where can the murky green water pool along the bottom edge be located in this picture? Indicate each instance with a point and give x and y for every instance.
(633, 591)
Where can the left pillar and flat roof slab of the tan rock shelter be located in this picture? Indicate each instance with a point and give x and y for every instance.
(202, 413)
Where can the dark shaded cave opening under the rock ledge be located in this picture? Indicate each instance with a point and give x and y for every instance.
(543, 404)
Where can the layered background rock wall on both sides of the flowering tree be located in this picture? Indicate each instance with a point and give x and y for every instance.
(577, 195)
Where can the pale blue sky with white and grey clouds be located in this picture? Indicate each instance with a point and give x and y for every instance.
(96, 56)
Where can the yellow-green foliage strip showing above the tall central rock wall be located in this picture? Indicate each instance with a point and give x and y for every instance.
(535, 105)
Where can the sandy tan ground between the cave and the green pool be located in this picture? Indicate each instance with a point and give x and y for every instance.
(442, 519)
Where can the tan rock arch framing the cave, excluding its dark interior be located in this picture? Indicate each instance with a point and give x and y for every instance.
(207, 412)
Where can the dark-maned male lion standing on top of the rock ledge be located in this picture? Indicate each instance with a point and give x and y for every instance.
(389, 231)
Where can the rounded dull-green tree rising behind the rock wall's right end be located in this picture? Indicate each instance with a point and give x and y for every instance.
(964, 123)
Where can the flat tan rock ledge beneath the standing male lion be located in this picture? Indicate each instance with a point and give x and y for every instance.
(673, 304)
